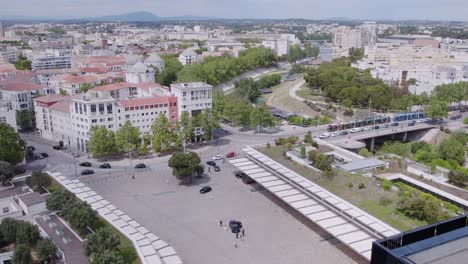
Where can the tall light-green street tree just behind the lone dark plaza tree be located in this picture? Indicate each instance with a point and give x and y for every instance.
(163, 135)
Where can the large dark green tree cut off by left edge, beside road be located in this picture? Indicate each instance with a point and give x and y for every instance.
(11, 145)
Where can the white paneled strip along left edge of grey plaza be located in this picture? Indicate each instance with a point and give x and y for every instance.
(149, 247)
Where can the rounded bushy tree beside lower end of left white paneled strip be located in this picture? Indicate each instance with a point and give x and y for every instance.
(104, 239)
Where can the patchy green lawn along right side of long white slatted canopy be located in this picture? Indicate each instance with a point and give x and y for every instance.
(346, 186)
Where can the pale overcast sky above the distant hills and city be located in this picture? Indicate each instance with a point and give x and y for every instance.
(311, 9)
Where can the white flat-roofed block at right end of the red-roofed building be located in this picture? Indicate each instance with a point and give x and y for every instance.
(192, 97)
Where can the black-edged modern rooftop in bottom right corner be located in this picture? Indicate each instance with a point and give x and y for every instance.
(445, 242)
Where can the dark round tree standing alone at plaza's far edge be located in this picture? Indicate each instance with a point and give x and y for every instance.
(183, 164)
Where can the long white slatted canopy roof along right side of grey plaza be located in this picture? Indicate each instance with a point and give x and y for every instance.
(346, 222)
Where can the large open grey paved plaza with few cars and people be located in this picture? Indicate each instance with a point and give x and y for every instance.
(189, 221)
